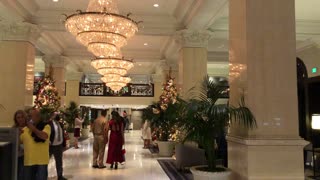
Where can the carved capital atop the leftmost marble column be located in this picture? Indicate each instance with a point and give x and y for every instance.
(19, 31)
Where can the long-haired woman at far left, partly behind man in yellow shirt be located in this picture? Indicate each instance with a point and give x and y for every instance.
(20, 121)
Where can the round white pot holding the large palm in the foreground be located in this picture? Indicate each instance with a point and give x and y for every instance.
(206, 175)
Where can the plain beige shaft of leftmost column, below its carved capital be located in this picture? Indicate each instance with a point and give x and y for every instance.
(16, 78)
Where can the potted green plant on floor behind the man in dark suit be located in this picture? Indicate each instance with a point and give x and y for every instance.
(70, 115)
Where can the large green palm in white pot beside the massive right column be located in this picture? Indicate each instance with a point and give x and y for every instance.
(204, 120)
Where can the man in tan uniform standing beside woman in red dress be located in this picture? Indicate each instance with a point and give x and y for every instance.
(99, 143)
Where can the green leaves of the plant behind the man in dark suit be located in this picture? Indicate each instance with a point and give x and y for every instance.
(70, 115)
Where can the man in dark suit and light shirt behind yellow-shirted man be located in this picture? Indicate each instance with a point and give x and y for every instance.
(56, 144)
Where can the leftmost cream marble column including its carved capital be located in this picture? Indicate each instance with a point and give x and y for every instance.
(17, 68)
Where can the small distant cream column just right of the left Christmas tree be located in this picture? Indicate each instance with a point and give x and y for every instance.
(72, 88)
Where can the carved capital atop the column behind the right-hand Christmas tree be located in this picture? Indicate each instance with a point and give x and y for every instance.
(193, 38)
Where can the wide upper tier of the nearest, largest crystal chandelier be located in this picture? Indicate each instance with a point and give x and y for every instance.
(101, 25)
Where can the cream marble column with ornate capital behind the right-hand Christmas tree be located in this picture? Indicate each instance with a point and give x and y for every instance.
(192, 58)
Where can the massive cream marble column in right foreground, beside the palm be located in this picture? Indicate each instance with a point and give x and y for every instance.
(263, 69)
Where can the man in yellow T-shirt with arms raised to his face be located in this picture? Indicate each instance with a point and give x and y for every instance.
(35, 138)
